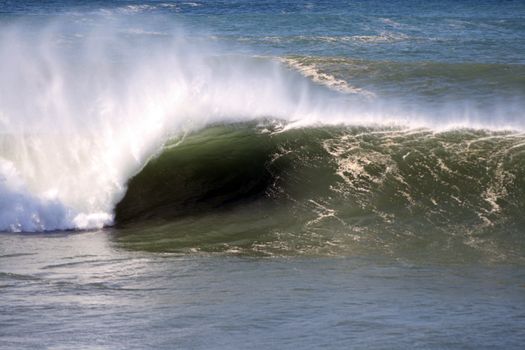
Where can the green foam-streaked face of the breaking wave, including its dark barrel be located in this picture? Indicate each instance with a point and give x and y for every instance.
(255, 189)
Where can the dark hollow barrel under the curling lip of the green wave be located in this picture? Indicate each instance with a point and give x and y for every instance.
(218, 167)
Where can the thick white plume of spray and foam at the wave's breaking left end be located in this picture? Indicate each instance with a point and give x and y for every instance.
(82, 111)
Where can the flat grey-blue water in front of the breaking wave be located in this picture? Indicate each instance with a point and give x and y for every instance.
(66, 291)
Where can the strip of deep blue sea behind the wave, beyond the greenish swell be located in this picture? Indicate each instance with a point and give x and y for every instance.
(443, 31)
